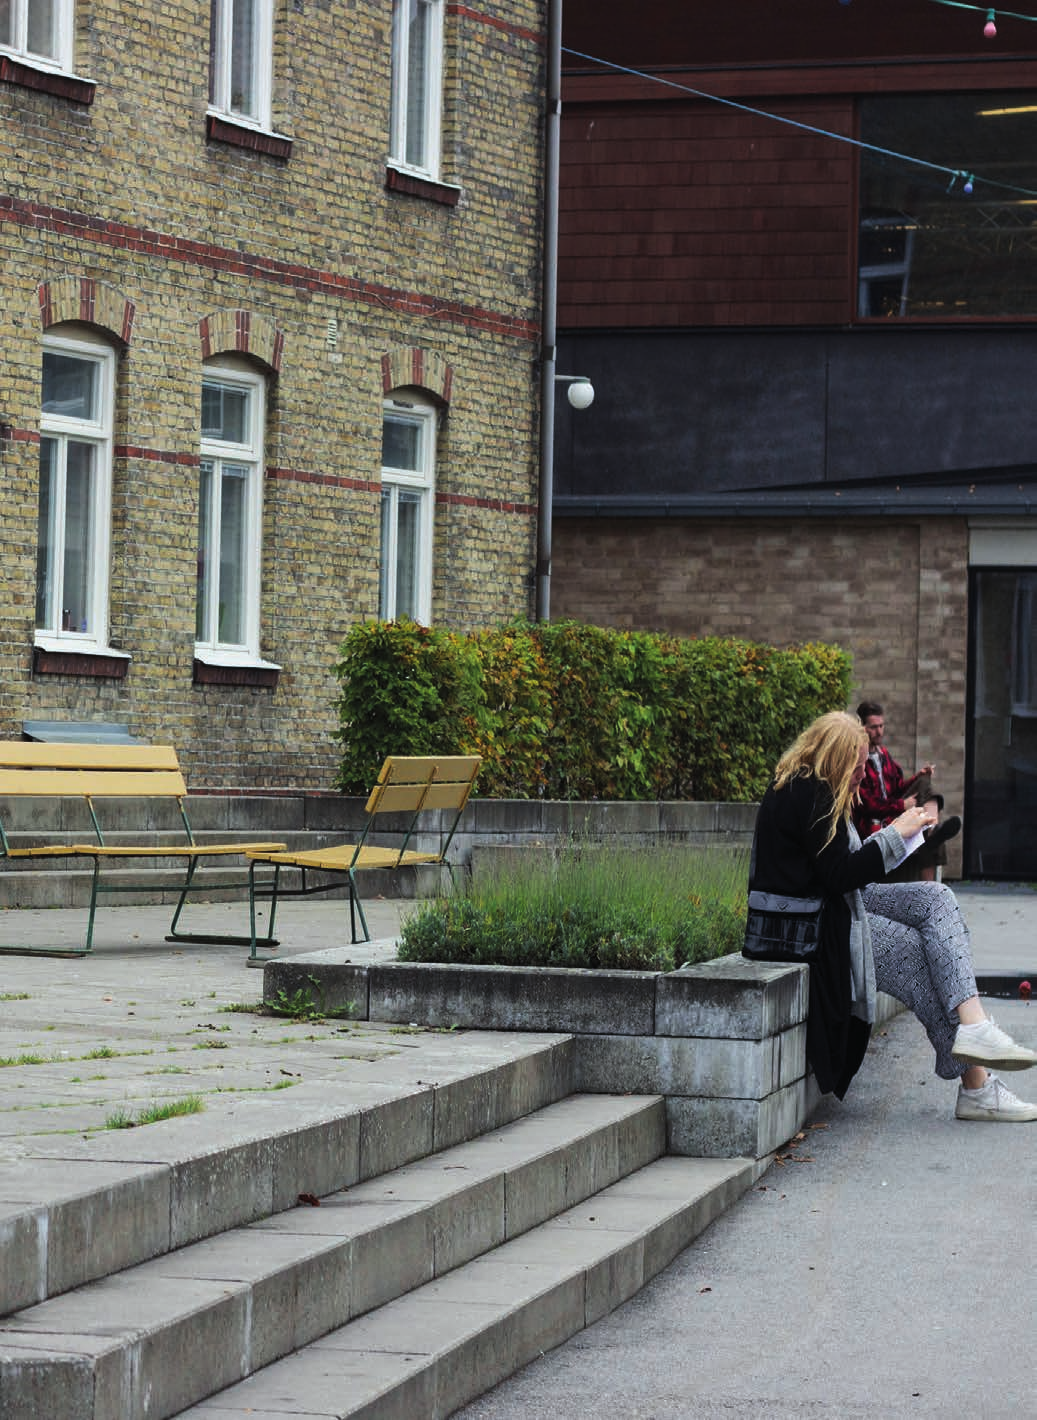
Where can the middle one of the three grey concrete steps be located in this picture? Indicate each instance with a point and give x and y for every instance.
(173, 1331)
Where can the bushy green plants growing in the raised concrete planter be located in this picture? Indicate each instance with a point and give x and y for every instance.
(640, 910)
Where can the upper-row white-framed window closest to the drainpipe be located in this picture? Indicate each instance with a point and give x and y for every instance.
(417, 86)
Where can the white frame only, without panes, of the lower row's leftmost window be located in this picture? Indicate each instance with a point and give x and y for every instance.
(58, 631)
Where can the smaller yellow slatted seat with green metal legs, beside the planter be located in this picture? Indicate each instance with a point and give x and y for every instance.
(410, 789)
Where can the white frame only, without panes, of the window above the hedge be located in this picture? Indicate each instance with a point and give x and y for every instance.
(421, 481)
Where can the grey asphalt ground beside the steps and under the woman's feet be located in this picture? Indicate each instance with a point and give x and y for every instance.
(883, 1267)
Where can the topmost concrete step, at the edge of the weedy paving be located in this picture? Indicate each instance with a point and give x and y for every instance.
(85, 1211)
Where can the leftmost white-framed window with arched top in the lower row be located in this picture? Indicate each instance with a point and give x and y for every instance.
(76, 488)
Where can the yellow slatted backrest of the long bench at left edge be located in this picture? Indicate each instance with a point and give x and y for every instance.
(90, 770)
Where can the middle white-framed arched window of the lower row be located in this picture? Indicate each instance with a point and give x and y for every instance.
(229, 515)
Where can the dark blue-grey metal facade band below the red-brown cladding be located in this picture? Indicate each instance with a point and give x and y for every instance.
(752, 413)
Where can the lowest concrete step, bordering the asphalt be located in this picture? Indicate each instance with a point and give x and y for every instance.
(433, 1351)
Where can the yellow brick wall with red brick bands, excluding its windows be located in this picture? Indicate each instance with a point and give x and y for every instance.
(175, 248)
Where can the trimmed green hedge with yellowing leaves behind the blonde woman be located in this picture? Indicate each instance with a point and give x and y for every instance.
(576, 712)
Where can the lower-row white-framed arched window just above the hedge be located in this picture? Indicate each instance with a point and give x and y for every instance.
(408, 491)
